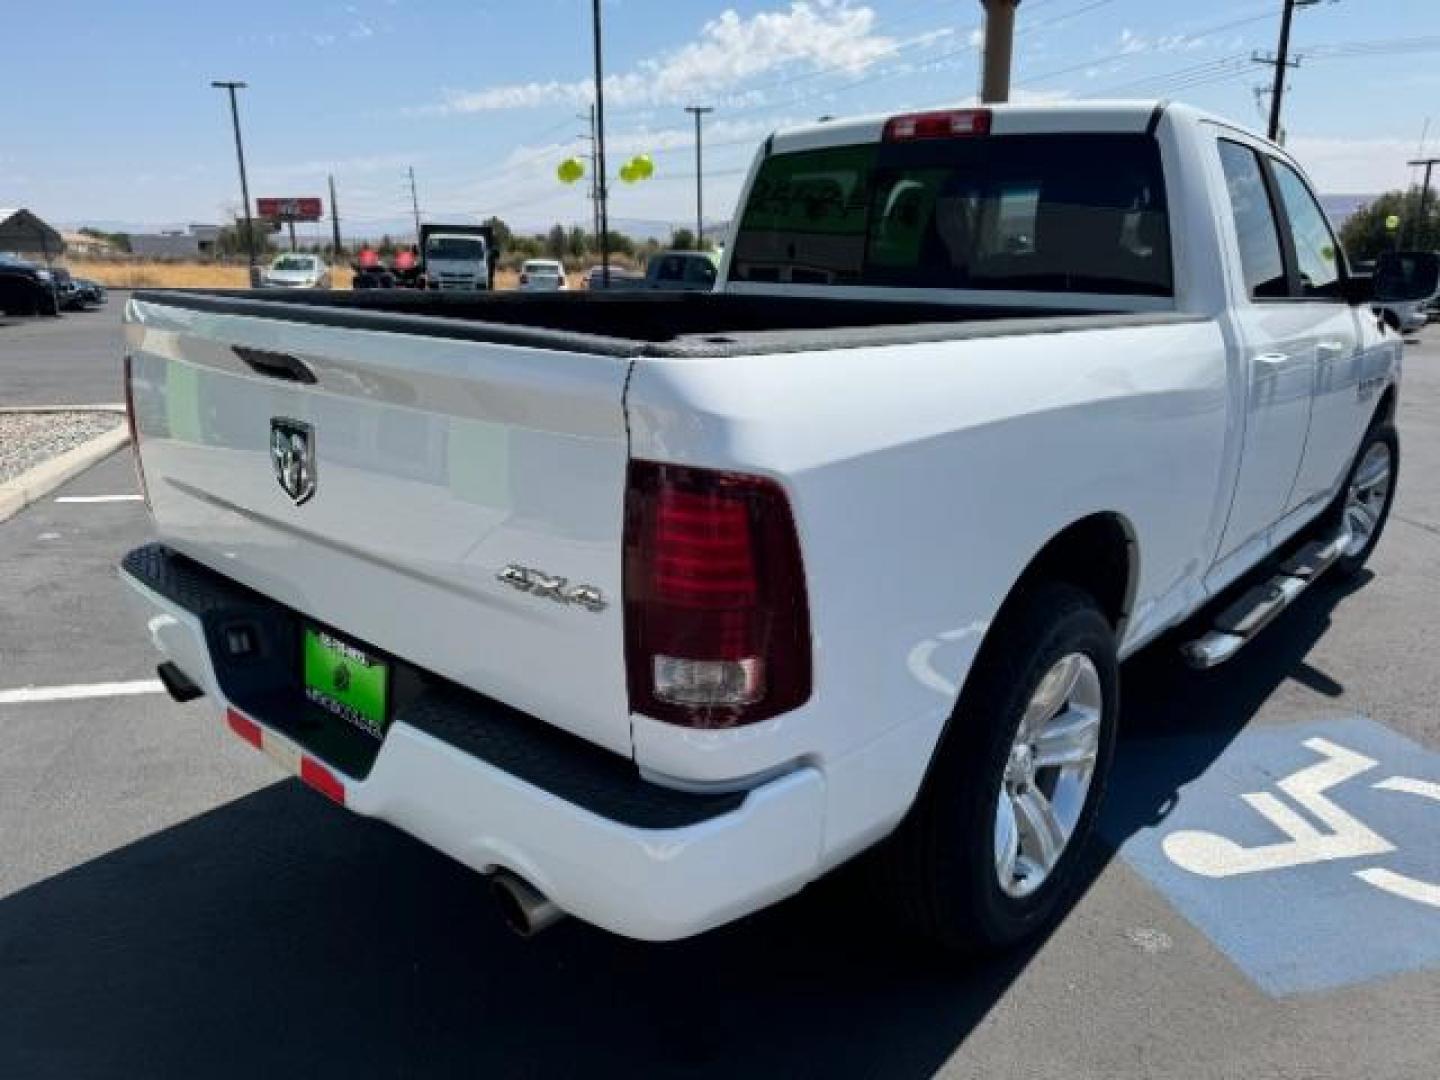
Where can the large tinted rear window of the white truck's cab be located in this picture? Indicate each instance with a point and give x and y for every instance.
(1055, 214)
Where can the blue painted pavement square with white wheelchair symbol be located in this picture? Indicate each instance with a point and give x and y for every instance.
(1310, 855)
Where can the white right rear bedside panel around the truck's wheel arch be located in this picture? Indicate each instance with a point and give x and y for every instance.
(924, 480)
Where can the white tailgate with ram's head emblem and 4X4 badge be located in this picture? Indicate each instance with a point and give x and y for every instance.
(438, 463)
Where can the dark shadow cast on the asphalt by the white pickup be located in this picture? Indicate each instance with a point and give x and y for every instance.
(280, 937)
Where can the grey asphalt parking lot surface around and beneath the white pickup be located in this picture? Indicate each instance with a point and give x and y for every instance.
(171, 906)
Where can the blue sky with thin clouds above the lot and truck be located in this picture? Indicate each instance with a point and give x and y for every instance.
(110, 116)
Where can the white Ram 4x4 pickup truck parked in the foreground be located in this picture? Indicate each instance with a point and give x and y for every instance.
(660, 607)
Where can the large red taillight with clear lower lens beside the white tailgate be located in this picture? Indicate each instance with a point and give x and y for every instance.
(716, 616)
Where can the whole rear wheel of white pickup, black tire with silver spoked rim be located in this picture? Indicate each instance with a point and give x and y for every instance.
(991, 852)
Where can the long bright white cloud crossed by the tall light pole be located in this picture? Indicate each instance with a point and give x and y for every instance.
(833, 35)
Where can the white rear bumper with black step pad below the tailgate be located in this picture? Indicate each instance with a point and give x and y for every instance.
(495, 790)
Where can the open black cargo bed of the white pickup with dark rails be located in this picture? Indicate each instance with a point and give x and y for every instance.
(701, 325)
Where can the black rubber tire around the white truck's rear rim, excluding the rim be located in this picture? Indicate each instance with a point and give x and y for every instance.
(940, 869)
